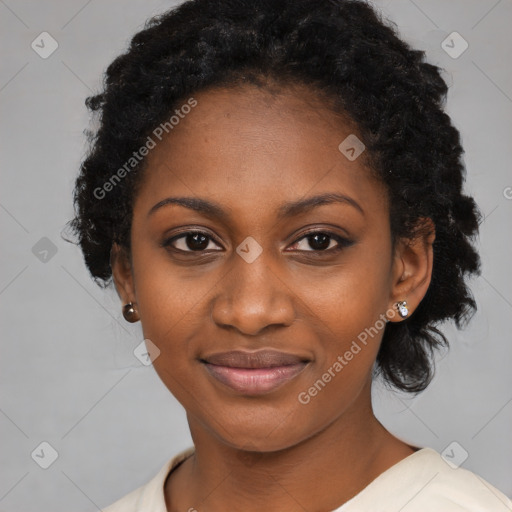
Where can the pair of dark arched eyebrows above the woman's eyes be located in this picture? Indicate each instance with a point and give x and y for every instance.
(289, 209)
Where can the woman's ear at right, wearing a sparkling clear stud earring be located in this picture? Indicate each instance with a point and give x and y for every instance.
(412, 268)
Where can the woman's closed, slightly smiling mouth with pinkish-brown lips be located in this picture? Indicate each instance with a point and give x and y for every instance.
(254, 373)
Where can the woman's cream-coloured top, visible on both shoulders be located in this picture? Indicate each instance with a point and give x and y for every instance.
(422, 482)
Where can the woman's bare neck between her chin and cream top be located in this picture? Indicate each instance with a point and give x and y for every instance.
(319, 473)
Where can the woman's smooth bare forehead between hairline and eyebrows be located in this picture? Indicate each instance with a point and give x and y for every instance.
(252, 149)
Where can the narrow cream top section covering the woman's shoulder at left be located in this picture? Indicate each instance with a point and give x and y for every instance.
(149, 496)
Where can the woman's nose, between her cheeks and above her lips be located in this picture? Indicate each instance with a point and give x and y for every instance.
(252, 297)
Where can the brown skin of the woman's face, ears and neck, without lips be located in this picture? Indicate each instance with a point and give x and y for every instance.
(251, 151)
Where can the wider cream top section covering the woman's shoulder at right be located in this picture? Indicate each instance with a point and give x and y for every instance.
(425, 481)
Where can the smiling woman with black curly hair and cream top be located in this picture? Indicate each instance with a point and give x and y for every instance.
(276, 194)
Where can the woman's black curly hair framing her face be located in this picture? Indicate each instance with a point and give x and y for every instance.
(341, 49)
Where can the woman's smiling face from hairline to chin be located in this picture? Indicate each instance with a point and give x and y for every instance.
(257, 278)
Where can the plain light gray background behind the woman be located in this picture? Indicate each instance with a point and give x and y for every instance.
(68, 373)
